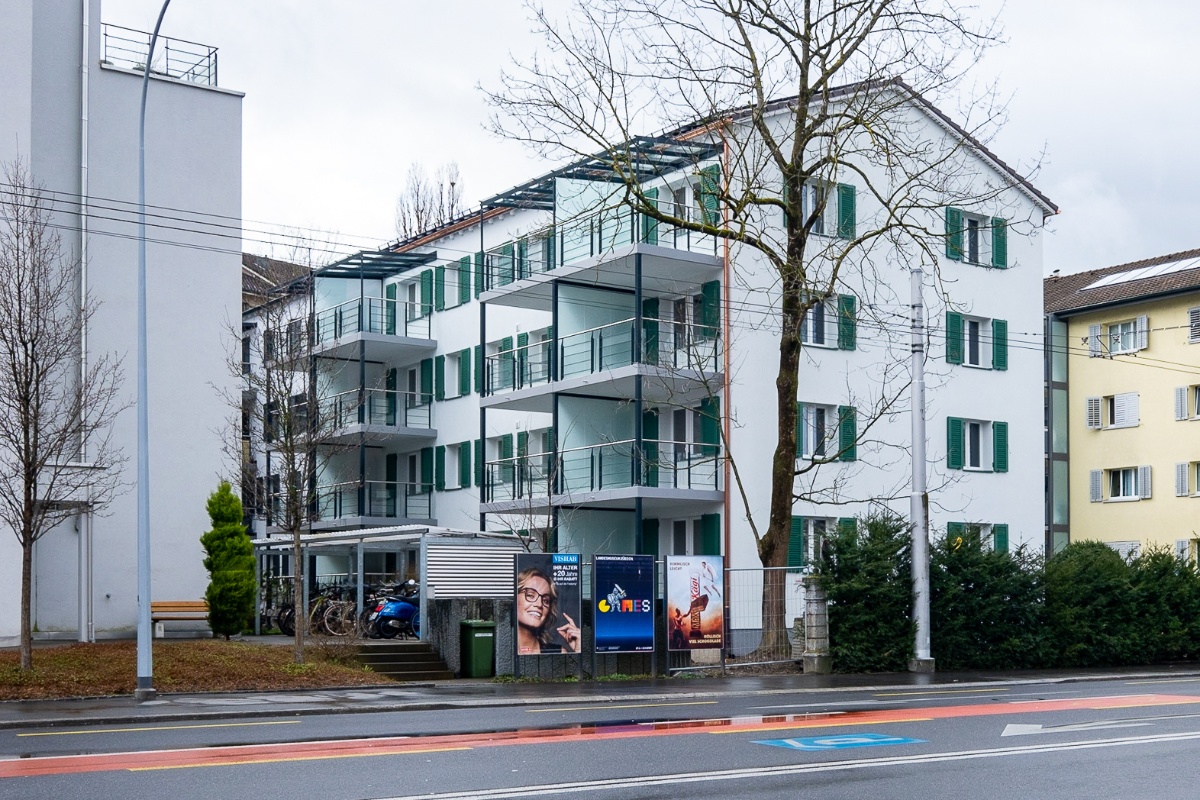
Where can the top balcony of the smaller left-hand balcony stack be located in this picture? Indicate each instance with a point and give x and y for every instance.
(385, 328)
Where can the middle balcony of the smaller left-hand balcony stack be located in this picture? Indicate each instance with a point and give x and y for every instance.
(379, 414)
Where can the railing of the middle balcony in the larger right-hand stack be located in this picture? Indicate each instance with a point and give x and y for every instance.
(675, 346)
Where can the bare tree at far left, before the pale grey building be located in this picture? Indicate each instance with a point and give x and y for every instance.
(56, 413)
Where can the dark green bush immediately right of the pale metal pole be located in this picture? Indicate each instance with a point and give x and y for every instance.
(987, 609)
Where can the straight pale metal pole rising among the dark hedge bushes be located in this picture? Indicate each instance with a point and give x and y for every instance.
(919, 504)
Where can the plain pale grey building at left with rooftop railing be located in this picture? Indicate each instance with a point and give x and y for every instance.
(69, 107)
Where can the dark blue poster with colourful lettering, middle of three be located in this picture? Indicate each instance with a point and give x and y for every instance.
(625, 603)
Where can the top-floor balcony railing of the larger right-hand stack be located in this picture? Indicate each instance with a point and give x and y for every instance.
(586, 237)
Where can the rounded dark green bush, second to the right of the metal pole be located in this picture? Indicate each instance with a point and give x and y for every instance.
(1091, 609)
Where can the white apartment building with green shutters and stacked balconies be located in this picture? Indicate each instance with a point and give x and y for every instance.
(571, 369)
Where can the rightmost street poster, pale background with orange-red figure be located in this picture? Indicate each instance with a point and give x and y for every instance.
(695, 606)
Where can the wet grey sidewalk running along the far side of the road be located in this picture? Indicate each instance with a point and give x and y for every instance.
(484, 694)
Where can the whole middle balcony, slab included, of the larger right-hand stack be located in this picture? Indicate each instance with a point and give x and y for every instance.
(680, 359)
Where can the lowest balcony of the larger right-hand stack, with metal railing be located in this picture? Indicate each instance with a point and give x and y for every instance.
(609, 474)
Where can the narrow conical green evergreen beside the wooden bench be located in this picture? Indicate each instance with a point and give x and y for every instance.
(230, 560)
